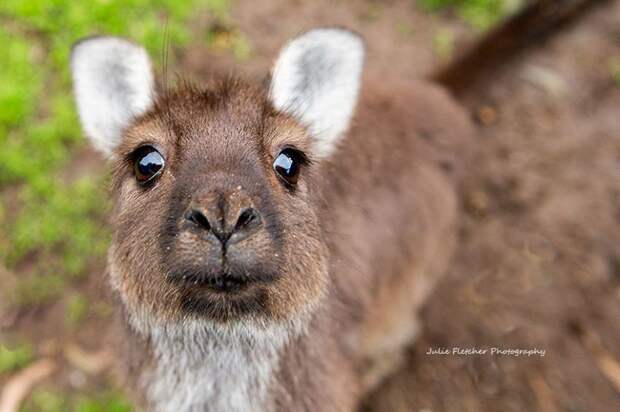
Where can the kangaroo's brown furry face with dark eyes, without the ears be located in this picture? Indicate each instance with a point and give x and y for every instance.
(215, 208)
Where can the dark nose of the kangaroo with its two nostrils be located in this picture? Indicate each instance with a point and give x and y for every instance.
(230, 220)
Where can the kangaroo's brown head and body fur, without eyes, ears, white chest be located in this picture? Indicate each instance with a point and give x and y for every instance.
(360, 241)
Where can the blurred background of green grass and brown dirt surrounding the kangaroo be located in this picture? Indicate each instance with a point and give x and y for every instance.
(538, 266)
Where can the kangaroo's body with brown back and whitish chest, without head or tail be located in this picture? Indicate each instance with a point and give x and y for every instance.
(389, 218)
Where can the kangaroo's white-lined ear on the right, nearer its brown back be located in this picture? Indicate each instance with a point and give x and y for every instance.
(317, 79)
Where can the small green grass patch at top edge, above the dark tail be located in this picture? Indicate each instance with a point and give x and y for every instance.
(480, 14)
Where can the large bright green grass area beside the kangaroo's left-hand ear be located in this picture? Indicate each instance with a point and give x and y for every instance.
(50, 221)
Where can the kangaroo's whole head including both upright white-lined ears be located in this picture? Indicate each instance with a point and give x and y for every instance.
(216, 188)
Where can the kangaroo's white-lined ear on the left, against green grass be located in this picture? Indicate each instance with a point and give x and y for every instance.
(113, 83)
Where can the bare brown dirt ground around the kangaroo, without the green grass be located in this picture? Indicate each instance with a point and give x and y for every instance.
(538, 265)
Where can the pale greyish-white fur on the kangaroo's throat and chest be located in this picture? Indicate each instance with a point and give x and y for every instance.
(201, 367)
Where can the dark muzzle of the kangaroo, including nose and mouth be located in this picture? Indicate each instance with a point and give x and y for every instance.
(219, 244)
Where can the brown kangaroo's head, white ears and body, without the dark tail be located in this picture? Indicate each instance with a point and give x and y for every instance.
(272, 243)
